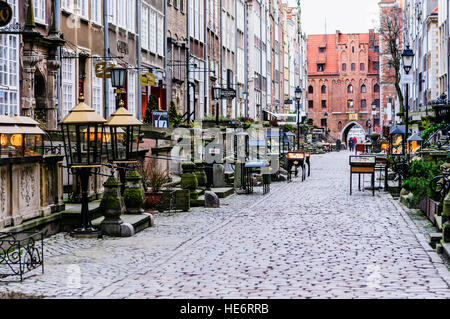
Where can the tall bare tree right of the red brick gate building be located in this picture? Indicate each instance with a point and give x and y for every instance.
(391, 34)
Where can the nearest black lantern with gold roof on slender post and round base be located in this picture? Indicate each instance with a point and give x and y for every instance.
(83, 134)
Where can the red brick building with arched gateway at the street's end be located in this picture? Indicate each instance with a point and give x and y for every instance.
(343, 81)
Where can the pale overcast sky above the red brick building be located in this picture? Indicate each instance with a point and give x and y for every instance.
(348, 16)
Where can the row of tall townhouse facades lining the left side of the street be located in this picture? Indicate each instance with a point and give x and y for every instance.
(174, 50)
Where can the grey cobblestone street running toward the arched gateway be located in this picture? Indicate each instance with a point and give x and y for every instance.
(303, 240)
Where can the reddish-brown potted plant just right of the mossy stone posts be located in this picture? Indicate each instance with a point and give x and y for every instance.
(154, 179)
